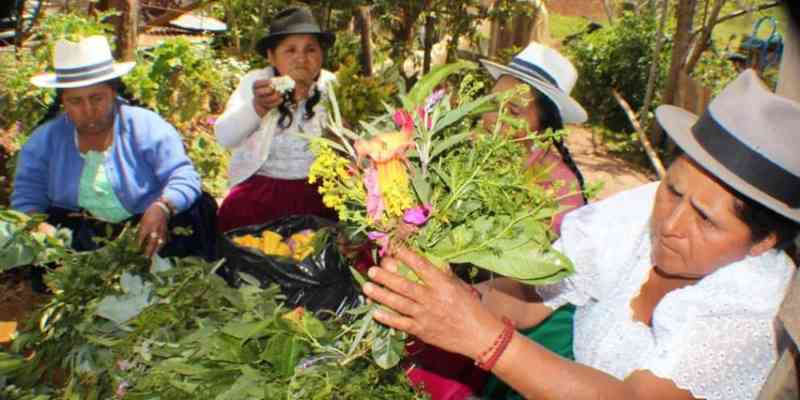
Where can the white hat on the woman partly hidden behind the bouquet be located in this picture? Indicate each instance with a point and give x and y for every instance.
(549, 72)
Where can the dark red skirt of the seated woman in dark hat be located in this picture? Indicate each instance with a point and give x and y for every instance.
(262, 199)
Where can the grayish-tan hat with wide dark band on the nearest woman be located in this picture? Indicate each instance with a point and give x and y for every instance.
(748, 137)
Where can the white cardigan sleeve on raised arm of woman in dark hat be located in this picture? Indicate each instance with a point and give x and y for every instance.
(240, 119)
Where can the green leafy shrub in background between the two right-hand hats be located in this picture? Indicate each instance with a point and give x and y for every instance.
(617, 57)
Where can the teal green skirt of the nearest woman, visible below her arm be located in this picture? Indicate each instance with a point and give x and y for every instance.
(554, 333)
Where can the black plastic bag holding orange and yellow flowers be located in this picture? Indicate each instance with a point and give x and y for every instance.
(321, 281)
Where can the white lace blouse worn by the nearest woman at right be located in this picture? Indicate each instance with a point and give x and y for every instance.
(715, 338)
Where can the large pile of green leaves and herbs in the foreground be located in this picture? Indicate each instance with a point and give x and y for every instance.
(123, 326)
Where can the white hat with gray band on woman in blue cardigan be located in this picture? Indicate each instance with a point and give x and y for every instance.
(81, 64)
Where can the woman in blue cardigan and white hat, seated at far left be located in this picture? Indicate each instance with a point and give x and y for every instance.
(102, 162)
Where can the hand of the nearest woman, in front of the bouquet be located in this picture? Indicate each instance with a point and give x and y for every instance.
(443, 312)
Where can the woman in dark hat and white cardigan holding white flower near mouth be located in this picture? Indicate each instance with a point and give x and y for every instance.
(269, 164)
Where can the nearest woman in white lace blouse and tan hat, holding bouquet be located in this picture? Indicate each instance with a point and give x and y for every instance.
(677, 283)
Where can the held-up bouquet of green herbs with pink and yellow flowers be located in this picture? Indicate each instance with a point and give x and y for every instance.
(426, 175)
